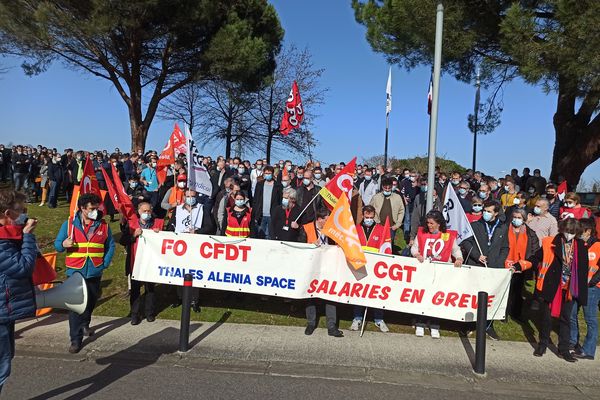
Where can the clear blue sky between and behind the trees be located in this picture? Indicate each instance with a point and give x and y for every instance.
(67, 108)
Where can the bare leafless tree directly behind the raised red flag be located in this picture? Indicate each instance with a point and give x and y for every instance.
(269, 101)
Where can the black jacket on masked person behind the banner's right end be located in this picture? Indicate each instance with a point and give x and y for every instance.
(496, 251)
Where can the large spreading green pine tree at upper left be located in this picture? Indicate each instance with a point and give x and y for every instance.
(147, 49)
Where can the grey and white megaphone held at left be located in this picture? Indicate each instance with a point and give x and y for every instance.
(70, 295)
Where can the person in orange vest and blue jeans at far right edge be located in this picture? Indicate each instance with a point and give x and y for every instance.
(587, 351)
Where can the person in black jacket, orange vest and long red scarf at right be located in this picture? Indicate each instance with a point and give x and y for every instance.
(562, 278)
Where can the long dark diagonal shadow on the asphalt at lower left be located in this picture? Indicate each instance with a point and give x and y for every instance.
(118, 366)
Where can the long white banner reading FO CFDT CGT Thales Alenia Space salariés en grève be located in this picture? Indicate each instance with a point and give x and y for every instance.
(298, 271)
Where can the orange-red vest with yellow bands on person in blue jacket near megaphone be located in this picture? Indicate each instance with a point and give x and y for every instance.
(84, 248)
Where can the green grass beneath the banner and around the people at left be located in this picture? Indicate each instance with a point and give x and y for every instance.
(235, 307)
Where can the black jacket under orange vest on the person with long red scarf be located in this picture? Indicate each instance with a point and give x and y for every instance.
(554, 274)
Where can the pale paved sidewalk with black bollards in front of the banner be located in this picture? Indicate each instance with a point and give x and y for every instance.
(286, 351)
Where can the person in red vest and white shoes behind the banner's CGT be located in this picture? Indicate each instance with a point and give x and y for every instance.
(370, 235)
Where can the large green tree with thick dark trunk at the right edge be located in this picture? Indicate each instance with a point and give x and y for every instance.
(551, 43)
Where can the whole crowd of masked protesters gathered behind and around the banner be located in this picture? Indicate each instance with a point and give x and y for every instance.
(519, 222)
